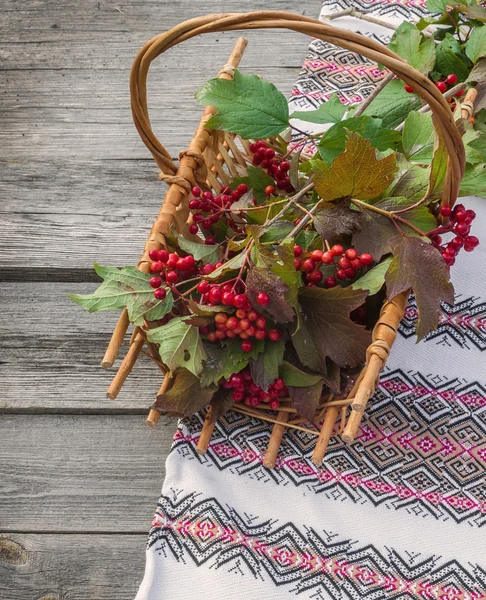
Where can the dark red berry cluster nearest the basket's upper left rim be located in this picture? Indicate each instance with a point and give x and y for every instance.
(209, 208)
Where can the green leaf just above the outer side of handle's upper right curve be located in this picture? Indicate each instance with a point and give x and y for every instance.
(409, 43)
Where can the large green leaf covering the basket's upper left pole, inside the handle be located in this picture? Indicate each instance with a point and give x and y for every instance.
(246, 105)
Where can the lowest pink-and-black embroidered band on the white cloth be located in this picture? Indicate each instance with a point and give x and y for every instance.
(305, 561)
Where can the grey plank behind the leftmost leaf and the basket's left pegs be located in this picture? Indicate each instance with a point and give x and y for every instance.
(51, 350)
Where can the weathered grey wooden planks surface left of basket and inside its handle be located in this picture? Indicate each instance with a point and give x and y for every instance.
(80, 475)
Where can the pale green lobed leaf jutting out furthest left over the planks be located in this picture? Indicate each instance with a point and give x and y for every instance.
(126, 287)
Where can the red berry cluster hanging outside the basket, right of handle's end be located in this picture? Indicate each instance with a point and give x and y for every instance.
(459, 223)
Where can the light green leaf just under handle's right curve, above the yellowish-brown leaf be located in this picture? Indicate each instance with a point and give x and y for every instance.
(392, 104)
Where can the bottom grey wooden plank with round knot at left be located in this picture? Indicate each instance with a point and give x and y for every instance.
(55, 567)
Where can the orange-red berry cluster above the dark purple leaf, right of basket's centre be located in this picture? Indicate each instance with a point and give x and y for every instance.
(348, 263)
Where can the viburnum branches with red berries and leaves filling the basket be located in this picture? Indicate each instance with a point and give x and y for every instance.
(270, 302)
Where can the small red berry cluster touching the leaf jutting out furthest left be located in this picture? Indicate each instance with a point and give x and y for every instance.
(171, 268)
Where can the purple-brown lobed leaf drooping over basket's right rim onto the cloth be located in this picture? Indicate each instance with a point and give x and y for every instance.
(417, 265)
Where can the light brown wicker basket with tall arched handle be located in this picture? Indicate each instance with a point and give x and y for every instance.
(214, 158)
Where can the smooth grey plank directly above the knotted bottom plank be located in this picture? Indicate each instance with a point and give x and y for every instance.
(80, 473)
